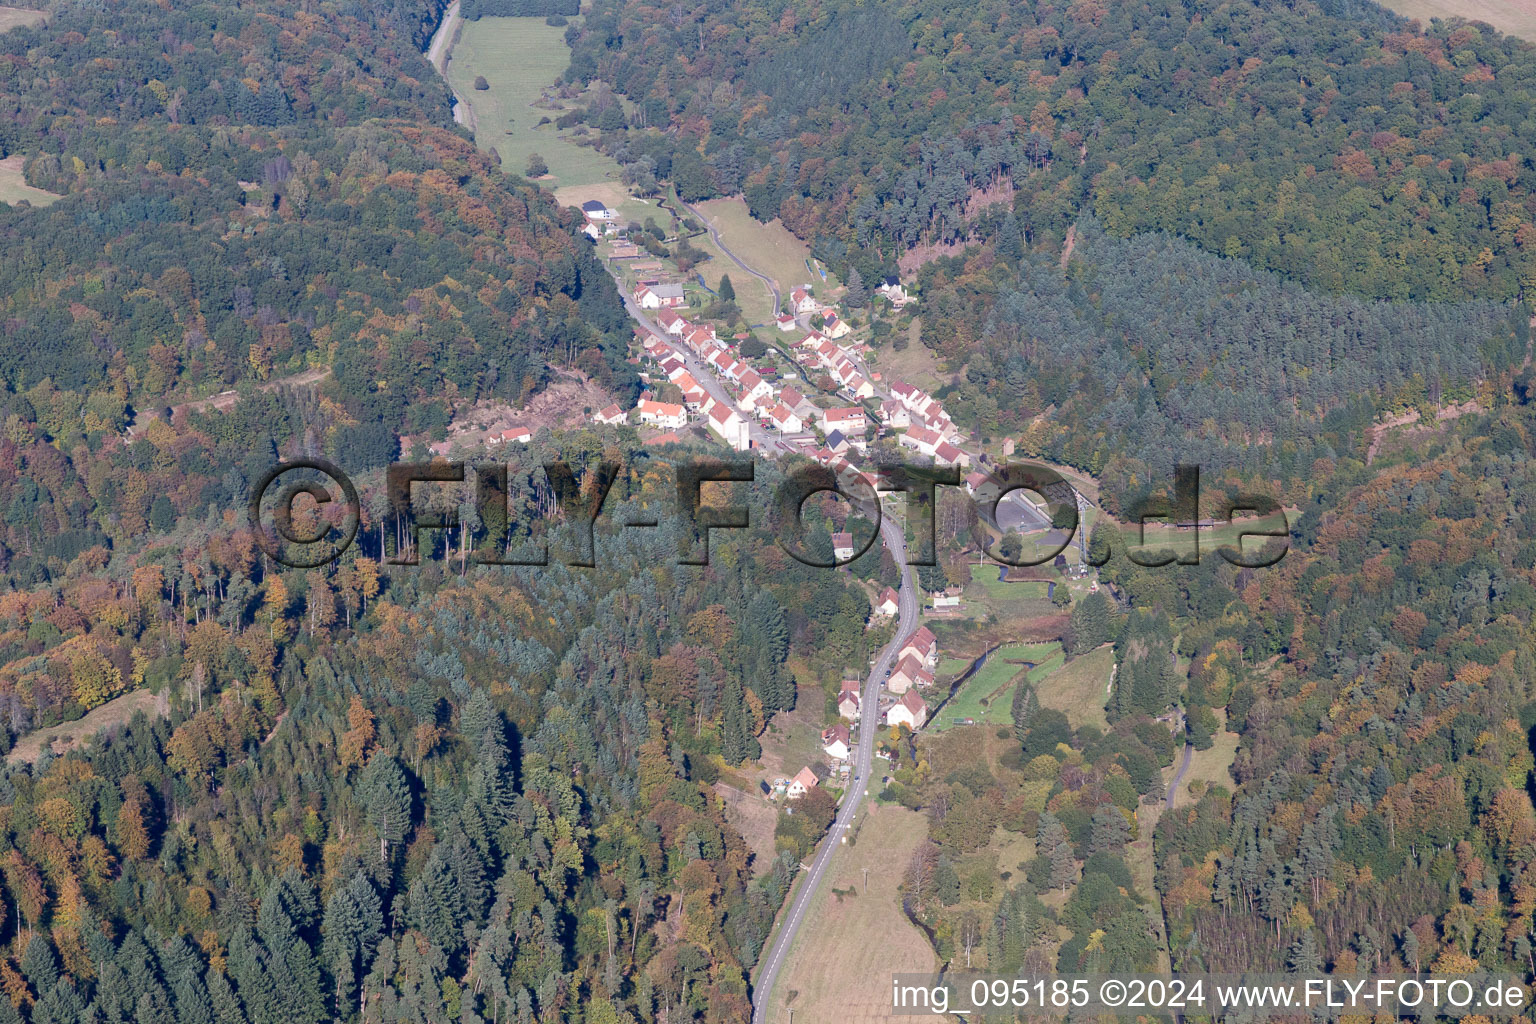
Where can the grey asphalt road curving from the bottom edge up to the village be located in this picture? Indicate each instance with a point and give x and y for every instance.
(859, 784)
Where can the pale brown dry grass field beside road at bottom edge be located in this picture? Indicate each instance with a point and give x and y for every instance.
(841, 965)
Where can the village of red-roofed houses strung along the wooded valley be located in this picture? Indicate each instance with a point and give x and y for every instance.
(810, 391)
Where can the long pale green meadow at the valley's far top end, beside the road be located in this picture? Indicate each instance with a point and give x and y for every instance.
(520, 59)
